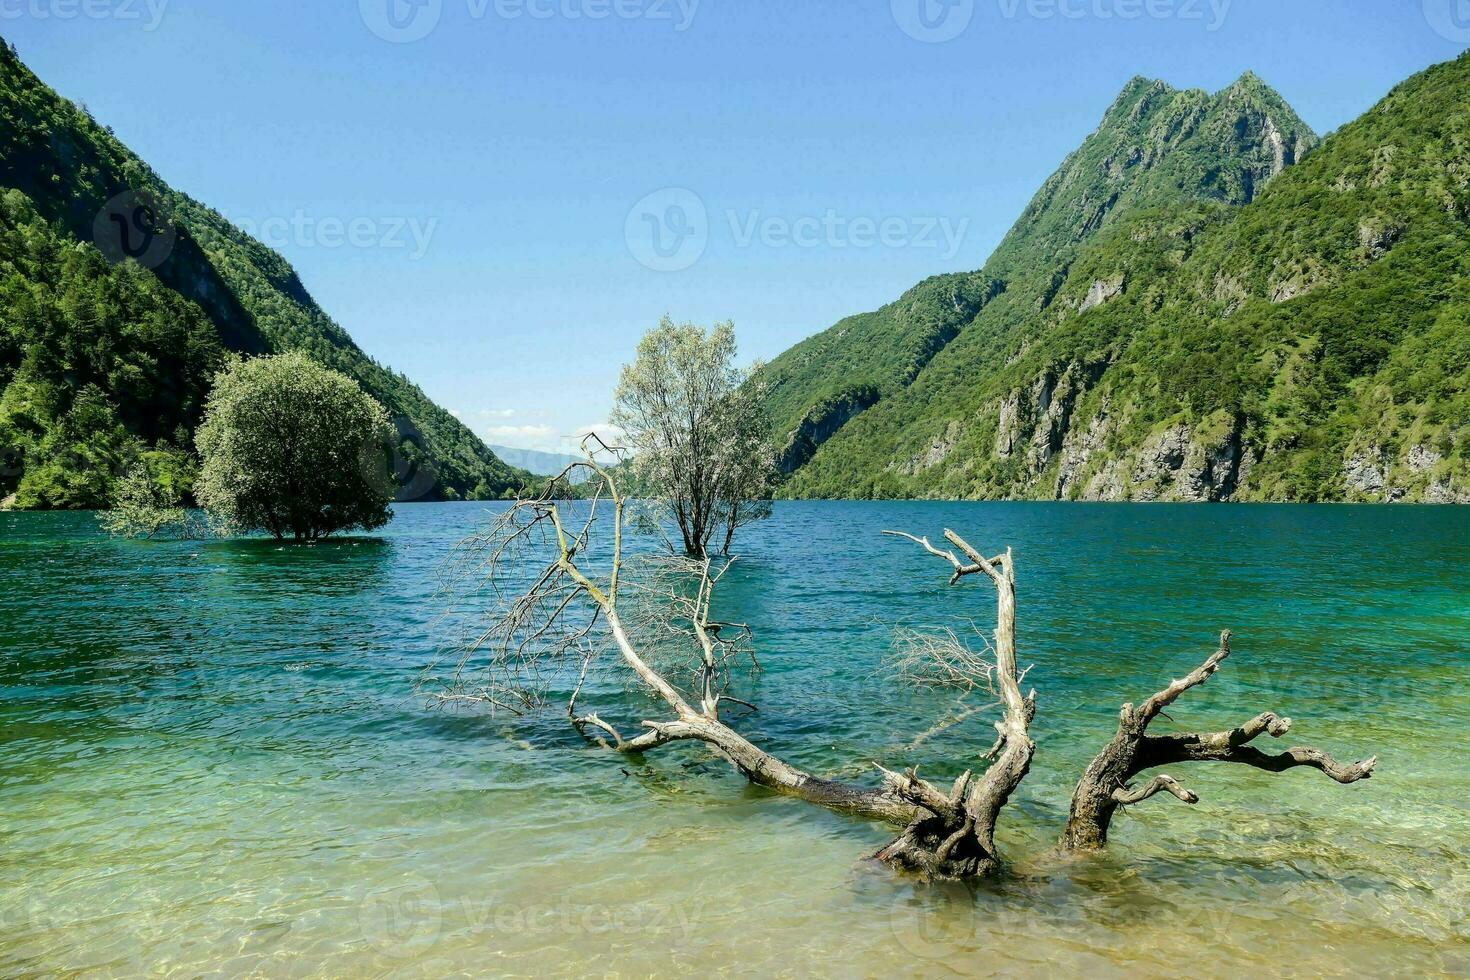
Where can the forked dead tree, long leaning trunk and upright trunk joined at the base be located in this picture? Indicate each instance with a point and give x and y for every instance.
(556, 602)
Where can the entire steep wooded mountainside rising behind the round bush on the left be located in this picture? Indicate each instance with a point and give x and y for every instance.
(64, 337)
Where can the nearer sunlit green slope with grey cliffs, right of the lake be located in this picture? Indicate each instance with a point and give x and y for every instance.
(1313, 345)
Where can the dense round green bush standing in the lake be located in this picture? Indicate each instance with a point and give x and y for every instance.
(290, 447)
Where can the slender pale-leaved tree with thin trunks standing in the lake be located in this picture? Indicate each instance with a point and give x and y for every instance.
(696, 431)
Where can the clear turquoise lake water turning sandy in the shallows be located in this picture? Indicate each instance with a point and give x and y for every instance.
(214, 760)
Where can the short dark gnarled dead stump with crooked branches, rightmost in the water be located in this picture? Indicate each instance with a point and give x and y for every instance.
(1109, 781)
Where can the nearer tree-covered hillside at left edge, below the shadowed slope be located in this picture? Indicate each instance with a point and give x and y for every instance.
(99, 365)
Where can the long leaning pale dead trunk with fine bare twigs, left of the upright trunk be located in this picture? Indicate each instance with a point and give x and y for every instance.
(643, 608)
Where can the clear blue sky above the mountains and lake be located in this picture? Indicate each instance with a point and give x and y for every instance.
(505, 165)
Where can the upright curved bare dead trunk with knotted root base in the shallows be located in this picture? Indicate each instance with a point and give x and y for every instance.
(953, 834)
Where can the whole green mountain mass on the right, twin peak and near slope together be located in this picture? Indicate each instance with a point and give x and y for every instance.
(1200, 305)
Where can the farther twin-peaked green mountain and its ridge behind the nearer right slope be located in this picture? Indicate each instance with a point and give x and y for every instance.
(1155, 148)
